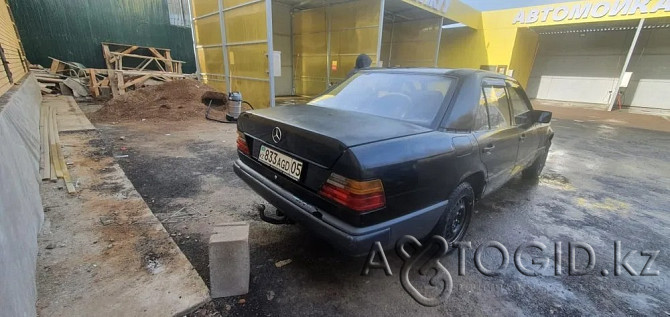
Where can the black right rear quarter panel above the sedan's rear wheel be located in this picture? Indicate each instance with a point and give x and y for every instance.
(416, 171)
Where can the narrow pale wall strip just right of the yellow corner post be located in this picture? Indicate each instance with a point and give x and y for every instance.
(281, 40)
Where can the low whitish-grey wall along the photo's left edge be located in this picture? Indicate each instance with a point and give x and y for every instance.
(21, 213)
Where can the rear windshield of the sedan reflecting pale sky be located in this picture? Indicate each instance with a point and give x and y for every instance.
(415, 98)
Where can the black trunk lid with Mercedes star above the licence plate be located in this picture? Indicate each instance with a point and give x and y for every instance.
(319, 134)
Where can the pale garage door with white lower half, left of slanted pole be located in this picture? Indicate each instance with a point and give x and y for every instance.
(579, 67)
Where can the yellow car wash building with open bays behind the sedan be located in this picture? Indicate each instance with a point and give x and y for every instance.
(234, 42)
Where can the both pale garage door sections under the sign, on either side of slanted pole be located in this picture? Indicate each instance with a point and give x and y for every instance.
(583, 66)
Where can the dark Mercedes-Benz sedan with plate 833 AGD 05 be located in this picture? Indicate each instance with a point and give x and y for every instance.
(392, 152)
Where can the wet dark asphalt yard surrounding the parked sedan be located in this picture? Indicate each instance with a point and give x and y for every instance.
(602, 183)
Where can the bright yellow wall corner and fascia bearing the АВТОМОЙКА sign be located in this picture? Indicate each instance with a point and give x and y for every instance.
(505, 37)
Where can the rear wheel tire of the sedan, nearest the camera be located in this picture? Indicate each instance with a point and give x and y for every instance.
(457, 215)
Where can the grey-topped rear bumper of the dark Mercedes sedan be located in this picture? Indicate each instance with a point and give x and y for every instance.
(351, 240)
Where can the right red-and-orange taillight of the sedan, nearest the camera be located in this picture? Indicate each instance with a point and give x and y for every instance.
(358, 196)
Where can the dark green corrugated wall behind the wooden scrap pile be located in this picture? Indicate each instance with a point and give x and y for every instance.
(72, 30)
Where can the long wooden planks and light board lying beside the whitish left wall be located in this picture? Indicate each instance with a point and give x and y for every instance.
(58, 114)
